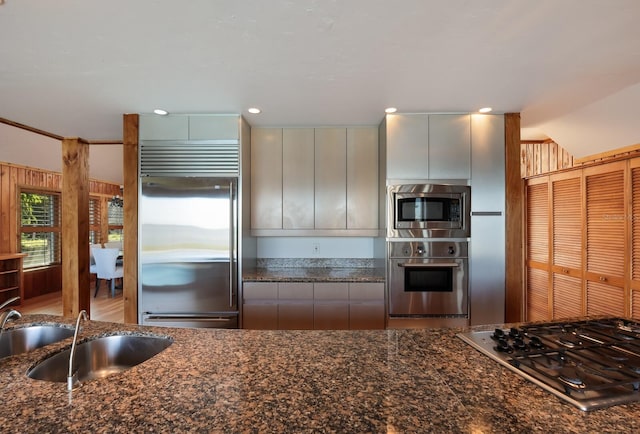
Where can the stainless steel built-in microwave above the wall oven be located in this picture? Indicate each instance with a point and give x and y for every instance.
(428, 211)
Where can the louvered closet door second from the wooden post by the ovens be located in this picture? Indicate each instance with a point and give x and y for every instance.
(567, 245)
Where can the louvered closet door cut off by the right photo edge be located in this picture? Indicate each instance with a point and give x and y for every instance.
(634, 166)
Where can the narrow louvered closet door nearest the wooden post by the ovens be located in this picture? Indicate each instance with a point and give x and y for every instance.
(537, 294)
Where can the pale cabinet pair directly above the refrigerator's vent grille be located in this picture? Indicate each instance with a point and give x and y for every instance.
(190, 127)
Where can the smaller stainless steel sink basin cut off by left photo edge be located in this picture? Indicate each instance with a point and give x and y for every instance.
(23, 340)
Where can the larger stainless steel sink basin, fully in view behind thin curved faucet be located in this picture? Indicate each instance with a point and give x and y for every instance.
(100, 357)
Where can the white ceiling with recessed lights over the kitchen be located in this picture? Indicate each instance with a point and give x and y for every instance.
(571, 67)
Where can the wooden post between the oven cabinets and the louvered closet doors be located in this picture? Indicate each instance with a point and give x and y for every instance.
(515, 291)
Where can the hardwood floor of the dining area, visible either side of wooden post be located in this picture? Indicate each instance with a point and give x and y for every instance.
(103, 307)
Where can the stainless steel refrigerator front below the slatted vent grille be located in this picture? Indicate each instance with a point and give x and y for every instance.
(188, 252)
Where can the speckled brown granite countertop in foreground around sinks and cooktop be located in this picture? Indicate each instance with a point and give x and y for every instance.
(417, 380)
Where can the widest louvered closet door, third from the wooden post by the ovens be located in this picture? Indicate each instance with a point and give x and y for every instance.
(605, 240)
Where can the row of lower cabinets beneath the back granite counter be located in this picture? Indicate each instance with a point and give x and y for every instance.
(319, 306)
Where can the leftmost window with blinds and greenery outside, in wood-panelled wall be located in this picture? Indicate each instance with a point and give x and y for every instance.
(40, 228)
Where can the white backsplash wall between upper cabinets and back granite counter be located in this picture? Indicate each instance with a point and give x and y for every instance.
(327, 247)
